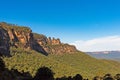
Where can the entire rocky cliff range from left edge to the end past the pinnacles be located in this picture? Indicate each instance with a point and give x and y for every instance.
(23, 37)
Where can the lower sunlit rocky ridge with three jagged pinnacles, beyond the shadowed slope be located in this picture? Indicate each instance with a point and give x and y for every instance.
(54, 46)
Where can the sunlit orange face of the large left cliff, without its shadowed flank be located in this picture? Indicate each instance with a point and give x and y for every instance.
(21, 38)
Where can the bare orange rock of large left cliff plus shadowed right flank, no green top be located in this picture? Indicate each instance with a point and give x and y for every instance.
(24, 39)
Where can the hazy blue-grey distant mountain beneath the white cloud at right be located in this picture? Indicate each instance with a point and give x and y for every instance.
(106, 54)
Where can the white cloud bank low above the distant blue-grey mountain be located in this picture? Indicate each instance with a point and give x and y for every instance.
(99, 44)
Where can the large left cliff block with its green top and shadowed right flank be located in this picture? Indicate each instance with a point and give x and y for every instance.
(21, 37)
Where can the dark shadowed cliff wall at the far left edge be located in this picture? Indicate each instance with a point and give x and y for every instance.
(4, 43)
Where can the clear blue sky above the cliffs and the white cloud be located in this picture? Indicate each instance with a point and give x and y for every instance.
(70, 20)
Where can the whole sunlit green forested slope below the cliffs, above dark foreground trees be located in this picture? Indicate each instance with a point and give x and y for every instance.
(62, 65)
